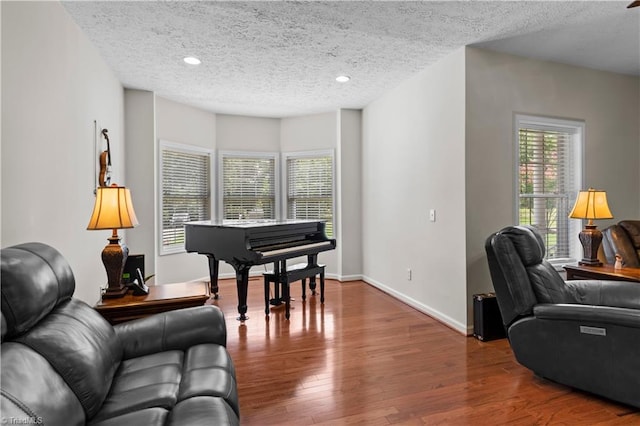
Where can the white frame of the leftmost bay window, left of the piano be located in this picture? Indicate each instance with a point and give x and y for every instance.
(164, 144)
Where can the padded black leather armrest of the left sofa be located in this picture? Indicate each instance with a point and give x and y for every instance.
(179, 329)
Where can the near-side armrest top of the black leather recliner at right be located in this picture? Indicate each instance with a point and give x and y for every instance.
(588, 314)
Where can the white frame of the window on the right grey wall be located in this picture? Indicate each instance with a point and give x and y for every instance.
(578, 130)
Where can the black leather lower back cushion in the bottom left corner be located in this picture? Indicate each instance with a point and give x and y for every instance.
(32, 390)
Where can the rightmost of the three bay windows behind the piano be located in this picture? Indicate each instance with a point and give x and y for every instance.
(309, 182)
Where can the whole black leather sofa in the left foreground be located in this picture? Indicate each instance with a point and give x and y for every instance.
(63, 364)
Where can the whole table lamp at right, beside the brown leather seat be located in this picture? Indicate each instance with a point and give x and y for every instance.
(591, 204)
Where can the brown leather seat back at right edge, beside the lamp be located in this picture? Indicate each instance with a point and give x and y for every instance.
(622, 238)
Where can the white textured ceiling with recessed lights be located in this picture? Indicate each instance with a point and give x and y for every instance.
(278, 59)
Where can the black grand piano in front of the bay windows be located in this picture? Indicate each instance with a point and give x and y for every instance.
(244, 243)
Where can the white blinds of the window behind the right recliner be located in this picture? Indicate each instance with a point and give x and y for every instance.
(546, 183)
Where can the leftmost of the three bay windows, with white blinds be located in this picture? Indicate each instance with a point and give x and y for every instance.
(186, 191)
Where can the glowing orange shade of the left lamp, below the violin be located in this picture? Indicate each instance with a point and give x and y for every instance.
(113, 209)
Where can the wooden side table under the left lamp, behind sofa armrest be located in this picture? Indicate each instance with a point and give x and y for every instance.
(161, 298)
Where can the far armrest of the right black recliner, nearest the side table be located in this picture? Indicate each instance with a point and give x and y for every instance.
(621, 294)
